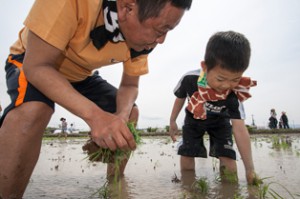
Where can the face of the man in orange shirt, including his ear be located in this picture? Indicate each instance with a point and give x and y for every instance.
(149, 33)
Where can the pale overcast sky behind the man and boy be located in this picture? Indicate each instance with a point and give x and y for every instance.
(272, 27)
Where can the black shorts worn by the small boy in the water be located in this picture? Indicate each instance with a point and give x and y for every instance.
(220, 138)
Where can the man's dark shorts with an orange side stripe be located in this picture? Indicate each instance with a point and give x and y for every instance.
(20, 90)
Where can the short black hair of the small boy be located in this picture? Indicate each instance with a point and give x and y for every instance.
(230, 50)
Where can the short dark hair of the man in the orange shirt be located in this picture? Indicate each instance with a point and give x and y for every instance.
(151, 8)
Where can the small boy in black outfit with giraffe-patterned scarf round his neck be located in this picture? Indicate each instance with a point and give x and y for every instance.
(213, 102)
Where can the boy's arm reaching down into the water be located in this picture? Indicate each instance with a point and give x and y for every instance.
(243, 142)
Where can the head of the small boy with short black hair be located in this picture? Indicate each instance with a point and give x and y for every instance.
(226, 59)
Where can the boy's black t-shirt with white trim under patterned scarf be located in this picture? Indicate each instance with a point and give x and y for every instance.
(229, 108)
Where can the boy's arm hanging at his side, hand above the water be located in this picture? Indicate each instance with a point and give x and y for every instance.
(178, 104)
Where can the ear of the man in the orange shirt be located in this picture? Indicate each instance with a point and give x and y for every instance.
(125, 8)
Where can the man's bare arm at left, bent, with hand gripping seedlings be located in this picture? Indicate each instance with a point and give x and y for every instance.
(107, 129)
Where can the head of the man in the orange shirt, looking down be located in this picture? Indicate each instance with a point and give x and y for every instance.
(145, 23)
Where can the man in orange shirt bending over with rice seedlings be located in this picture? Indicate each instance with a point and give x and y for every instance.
(53, 61)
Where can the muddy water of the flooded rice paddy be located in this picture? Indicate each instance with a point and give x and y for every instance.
(63, 172)
